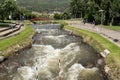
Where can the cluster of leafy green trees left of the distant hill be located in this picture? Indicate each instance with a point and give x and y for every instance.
(9, 9)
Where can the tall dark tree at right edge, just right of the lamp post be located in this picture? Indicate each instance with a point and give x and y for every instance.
(111, 10)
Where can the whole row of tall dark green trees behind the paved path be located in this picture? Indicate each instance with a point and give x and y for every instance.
(91, 10)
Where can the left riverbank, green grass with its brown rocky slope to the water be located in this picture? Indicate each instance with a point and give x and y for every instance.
(16, 43)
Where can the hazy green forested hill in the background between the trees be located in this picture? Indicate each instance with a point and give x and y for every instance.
(45, 5)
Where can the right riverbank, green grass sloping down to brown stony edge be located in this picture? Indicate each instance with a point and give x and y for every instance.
(99, 43)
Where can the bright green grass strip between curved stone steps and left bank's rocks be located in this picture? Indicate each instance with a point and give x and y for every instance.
(18, 39)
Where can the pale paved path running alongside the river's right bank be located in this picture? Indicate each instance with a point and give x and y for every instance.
(111, 35)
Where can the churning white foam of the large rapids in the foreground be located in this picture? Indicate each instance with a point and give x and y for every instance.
(47, 63)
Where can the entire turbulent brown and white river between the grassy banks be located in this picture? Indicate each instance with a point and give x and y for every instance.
(55, 55)
